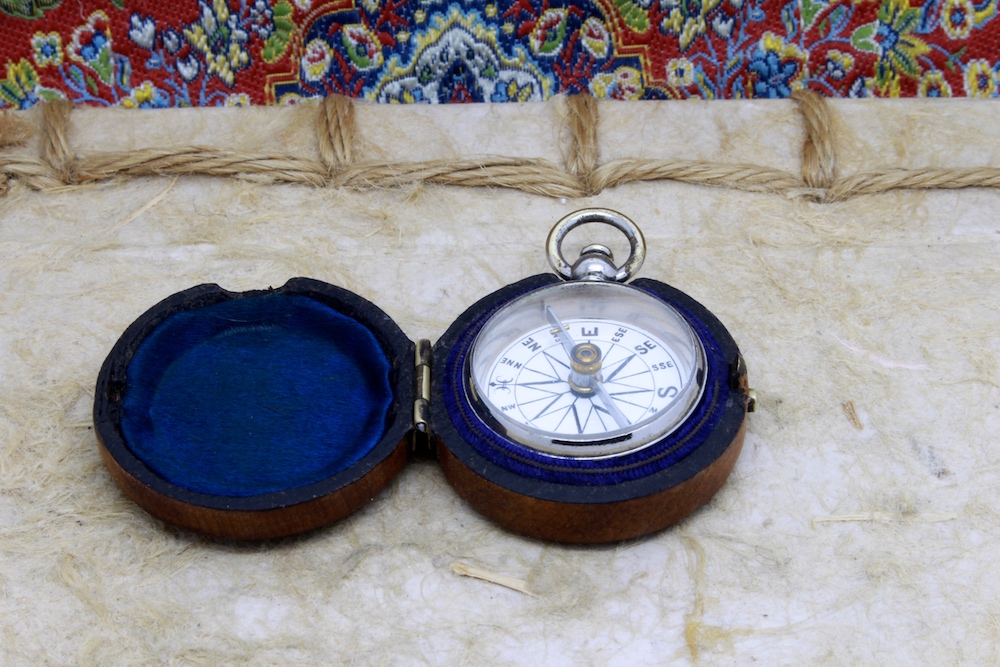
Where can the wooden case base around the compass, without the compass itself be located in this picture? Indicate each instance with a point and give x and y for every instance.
(589, 499)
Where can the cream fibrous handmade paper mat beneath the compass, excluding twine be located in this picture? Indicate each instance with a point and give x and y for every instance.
(860, 524)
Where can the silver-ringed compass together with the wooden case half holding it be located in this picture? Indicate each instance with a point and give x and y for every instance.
(576, 407)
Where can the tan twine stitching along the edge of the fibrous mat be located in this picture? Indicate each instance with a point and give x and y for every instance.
(582, 174)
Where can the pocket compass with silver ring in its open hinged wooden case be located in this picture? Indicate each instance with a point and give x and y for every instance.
(567, 406)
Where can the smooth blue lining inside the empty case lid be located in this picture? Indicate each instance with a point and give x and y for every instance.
(255, 395)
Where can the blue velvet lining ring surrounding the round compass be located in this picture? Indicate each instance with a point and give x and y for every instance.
(600, 472)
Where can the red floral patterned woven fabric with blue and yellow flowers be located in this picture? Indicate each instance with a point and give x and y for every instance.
(240, 52)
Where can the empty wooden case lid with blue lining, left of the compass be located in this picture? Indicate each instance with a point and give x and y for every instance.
(256, 414)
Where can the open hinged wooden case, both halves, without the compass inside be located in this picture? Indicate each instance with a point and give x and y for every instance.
(267, 413)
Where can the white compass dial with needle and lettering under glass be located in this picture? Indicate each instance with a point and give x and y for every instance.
(587, 369)
